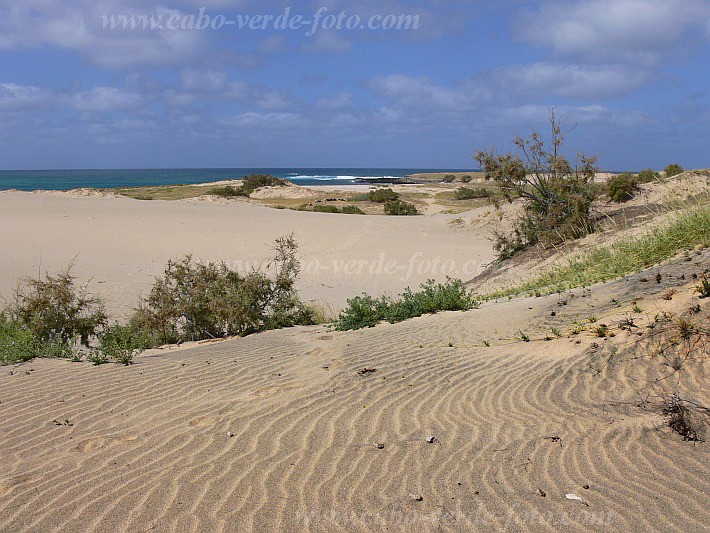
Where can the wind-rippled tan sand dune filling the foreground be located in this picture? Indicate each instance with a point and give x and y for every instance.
(517, 426)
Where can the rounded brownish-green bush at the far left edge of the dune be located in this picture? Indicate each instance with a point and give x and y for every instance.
(54, 310)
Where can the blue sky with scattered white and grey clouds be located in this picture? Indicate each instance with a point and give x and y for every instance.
(630, 76)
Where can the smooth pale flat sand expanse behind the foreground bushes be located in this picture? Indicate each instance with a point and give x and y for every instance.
(122, 244)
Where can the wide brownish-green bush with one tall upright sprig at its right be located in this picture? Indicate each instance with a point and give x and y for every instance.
(195, 301)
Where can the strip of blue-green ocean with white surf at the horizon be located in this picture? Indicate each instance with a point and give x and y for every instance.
(59, 180)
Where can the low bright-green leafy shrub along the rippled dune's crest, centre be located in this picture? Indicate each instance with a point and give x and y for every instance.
(366, 311)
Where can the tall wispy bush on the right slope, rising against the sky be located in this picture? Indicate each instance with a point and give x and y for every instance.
(558, 198)
